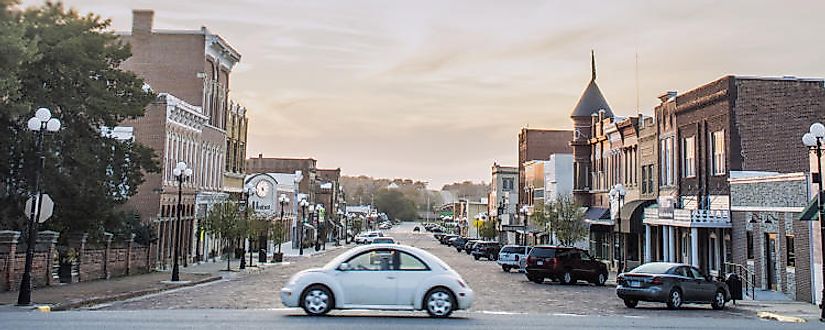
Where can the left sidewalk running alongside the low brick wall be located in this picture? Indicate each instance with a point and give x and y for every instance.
(75, 295)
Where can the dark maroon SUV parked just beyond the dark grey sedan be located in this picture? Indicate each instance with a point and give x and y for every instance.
(565, 264)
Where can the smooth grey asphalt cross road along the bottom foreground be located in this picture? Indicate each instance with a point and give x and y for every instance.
(294, 319)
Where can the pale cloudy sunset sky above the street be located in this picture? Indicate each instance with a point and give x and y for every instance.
(437, 90)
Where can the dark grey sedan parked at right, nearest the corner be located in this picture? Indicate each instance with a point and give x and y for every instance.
(671, 283)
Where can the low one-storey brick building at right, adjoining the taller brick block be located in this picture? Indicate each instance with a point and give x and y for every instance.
(765, 210)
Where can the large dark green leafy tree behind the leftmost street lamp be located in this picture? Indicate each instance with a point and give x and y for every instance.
(69, 63)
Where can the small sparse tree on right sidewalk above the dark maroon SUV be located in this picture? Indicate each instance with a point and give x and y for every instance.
(567, 220)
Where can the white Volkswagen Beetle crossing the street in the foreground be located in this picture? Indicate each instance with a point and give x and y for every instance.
(380, 277)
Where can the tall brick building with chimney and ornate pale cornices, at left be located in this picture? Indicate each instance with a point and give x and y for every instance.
(190, 69)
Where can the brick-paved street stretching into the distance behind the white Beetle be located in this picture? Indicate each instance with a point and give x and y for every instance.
(496, 291)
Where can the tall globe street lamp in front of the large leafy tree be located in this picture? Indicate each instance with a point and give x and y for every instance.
(42, 121)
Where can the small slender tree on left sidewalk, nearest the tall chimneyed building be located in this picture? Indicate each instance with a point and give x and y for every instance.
(225, 222)
